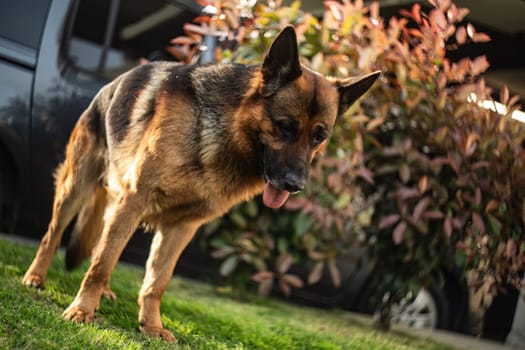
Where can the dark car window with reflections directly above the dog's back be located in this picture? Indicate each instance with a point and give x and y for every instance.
(109, 37)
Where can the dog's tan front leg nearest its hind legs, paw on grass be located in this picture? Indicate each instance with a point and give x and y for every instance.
(120, 225)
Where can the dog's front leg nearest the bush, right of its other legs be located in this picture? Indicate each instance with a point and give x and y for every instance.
(167, 245)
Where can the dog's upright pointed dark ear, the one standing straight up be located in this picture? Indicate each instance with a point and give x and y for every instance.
(281, 64)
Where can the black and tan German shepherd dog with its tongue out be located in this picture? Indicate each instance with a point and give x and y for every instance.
(174, 146)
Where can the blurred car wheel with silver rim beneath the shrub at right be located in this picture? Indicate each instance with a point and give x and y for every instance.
(427, 310)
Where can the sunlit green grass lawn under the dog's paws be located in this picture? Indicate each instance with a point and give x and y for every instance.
(200, 316)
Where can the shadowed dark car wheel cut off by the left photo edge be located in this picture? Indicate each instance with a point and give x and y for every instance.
(8, 195)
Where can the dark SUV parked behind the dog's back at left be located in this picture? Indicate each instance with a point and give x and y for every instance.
(54, 56)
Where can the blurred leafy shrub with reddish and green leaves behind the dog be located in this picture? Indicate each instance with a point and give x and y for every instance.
(419, 171)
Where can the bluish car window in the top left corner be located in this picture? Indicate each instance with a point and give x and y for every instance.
(22, 21)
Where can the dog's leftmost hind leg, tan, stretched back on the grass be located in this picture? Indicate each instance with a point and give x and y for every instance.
(75, 181)
